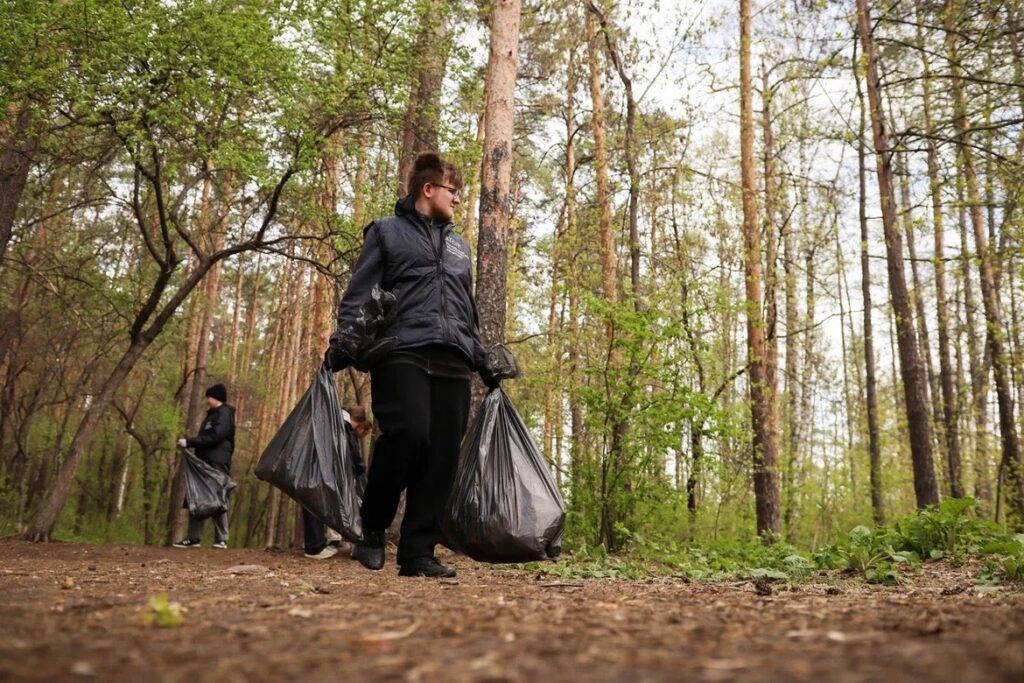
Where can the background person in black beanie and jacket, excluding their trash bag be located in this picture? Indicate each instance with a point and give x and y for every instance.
(216, 445)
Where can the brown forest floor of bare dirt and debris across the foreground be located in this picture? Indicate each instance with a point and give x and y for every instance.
(77, 613)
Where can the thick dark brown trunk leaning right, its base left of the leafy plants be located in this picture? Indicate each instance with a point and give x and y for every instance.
(912, 370)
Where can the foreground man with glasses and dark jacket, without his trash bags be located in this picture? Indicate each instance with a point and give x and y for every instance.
(420, 389)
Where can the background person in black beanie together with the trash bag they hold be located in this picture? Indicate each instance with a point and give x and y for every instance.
(208, 481)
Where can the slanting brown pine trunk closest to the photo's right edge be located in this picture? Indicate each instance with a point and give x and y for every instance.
(996, 328)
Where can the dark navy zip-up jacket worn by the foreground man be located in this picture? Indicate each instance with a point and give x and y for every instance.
(426, 266)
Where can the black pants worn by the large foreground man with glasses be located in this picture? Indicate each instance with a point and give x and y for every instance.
(422, 419)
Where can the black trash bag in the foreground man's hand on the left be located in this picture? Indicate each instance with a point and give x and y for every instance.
(311, 461)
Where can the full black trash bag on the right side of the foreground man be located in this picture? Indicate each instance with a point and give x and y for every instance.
(505, 506)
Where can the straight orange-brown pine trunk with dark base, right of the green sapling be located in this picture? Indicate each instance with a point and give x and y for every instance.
(763, 405)
